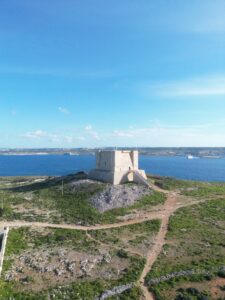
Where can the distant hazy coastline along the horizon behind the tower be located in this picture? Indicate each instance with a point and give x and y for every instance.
(207, 152)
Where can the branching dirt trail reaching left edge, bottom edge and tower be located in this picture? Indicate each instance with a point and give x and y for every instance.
(163, 214)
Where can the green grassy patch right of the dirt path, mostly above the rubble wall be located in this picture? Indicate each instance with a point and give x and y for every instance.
(194, 243)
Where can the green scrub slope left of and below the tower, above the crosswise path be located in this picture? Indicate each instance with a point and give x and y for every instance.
(42, 199)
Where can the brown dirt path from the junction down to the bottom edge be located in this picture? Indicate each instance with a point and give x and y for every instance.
(158, 244)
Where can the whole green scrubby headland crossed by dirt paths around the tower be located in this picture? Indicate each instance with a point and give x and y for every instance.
(166, 244)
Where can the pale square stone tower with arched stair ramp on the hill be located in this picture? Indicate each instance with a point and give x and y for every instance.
(118, 166)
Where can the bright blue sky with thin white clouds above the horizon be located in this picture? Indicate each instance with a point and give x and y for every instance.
(84, 73)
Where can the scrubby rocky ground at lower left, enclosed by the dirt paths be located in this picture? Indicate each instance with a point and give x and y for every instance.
(38, 242)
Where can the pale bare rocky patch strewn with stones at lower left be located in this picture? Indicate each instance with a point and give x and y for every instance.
(47, 266)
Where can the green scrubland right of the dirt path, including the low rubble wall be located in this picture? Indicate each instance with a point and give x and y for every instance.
(194, 254)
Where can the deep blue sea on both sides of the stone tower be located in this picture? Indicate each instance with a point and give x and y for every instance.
(204, 169)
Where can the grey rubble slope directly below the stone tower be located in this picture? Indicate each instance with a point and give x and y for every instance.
(115, 196)
